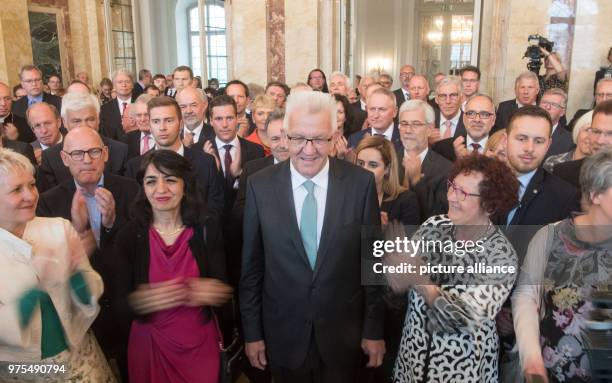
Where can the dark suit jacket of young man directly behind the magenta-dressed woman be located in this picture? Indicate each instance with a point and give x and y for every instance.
(210, 181)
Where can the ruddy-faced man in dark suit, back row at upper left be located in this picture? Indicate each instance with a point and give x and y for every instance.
(31, 82)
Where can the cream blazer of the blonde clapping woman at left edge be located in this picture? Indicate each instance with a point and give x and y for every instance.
(42, 259)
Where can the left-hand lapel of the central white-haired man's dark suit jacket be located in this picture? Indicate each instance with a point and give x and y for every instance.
(284, 193)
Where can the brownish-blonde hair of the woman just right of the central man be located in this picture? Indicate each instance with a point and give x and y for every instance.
(391, 185)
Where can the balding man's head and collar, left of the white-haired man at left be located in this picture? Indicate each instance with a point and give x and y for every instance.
(45, 122)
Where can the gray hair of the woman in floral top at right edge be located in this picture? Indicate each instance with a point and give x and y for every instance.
(596, 174)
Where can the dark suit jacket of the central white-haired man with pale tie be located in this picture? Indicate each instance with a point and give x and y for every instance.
(282, 300)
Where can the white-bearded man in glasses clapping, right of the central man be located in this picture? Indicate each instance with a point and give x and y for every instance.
(422, 169)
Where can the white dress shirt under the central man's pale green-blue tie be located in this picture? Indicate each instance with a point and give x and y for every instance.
(321, 181)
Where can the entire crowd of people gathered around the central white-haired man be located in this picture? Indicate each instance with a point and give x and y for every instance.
(148, 223)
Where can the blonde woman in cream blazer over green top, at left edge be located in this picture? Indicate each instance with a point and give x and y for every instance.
(48, 290)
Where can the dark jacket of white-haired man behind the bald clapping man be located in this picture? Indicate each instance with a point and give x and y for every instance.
(52, 170)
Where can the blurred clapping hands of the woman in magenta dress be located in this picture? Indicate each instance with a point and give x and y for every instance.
(153, 297)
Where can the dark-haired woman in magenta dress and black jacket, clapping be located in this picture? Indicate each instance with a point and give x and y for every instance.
(170, 266)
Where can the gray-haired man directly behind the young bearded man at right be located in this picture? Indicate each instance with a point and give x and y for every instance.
(526, 89)
